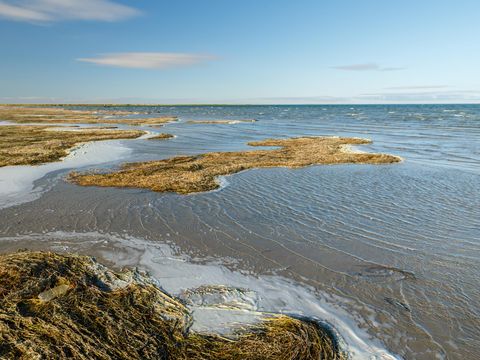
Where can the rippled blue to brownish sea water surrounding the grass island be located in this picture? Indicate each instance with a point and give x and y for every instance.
(395, 247)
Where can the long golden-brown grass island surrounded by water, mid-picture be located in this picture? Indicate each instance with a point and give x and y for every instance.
(189, 174)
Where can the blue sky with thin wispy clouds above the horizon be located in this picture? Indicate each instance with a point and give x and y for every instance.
(248, 51)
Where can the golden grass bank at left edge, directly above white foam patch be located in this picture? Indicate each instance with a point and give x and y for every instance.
(32, 145)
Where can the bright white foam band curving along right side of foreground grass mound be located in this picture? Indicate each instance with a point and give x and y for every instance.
(276, 294)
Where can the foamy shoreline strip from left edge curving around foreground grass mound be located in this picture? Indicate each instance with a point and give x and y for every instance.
(176, 273)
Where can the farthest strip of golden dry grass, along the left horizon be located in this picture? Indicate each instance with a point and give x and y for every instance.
(48, 115)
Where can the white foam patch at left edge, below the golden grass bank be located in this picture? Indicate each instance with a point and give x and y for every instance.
(17, 183)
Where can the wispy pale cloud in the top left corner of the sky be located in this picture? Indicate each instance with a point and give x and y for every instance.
(41, 11)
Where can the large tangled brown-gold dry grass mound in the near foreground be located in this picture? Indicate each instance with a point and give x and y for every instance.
(66, 306)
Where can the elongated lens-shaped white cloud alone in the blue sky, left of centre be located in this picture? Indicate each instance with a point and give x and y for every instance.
(148, 60)
